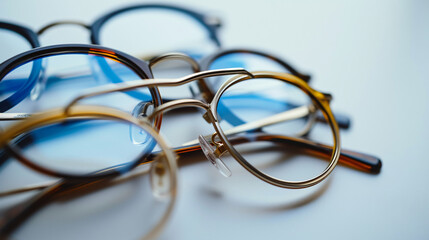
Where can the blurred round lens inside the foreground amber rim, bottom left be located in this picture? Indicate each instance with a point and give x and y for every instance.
(119, 206)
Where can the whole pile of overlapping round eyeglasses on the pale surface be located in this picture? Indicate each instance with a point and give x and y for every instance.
(89, 117)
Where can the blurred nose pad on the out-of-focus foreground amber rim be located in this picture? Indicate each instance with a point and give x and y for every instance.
(160, 178)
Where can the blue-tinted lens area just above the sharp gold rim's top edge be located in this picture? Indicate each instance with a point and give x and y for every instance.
(249, 61)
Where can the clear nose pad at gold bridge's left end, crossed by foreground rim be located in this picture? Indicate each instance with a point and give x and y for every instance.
(137, 135)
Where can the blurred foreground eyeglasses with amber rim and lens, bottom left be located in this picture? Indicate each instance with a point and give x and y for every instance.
(56, 135)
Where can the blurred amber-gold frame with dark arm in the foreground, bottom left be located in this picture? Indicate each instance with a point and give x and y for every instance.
(67, 186)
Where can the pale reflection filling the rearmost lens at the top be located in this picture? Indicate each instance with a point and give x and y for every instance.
(145, 33)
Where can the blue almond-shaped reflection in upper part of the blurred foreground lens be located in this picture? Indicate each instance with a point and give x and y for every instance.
(83, 146)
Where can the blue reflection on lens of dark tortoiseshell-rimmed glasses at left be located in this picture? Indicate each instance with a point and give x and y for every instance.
(55, 80)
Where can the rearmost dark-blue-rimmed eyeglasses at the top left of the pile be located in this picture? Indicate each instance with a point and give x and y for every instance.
(135, 23)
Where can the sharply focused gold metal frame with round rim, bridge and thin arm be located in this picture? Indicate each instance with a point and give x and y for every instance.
(320, 100)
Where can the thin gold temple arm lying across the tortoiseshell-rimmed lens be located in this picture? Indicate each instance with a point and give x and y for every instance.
(131, 85)
